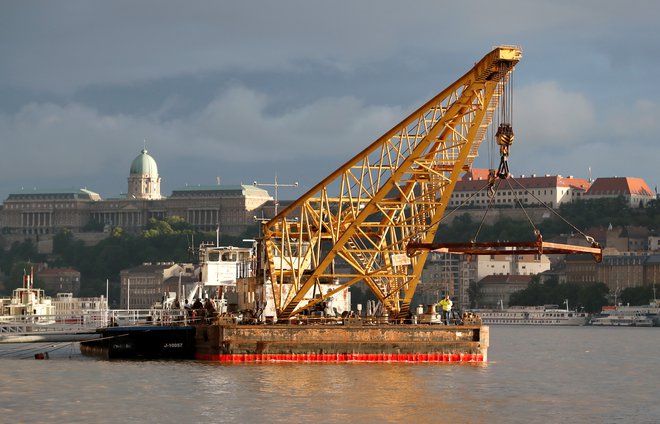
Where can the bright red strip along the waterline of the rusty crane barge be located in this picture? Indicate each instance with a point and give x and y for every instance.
(343, 357)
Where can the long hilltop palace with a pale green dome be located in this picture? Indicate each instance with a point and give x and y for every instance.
(232, 208)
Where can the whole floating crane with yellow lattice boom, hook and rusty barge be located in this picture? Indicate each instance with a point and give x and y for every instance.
(372, 221)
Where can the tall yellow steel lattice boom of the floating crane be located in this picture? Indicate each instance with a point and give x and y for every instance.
(393, 192)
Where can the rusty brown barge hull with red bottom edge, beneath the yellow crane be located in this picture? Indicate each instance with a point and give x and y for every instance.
(347, 343)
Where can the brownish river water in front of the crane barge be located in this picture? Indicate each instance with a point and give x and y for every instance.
(534, 375)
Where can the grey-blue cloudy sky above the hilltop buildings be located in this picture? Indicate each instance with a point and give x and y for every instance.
(246, 90)
